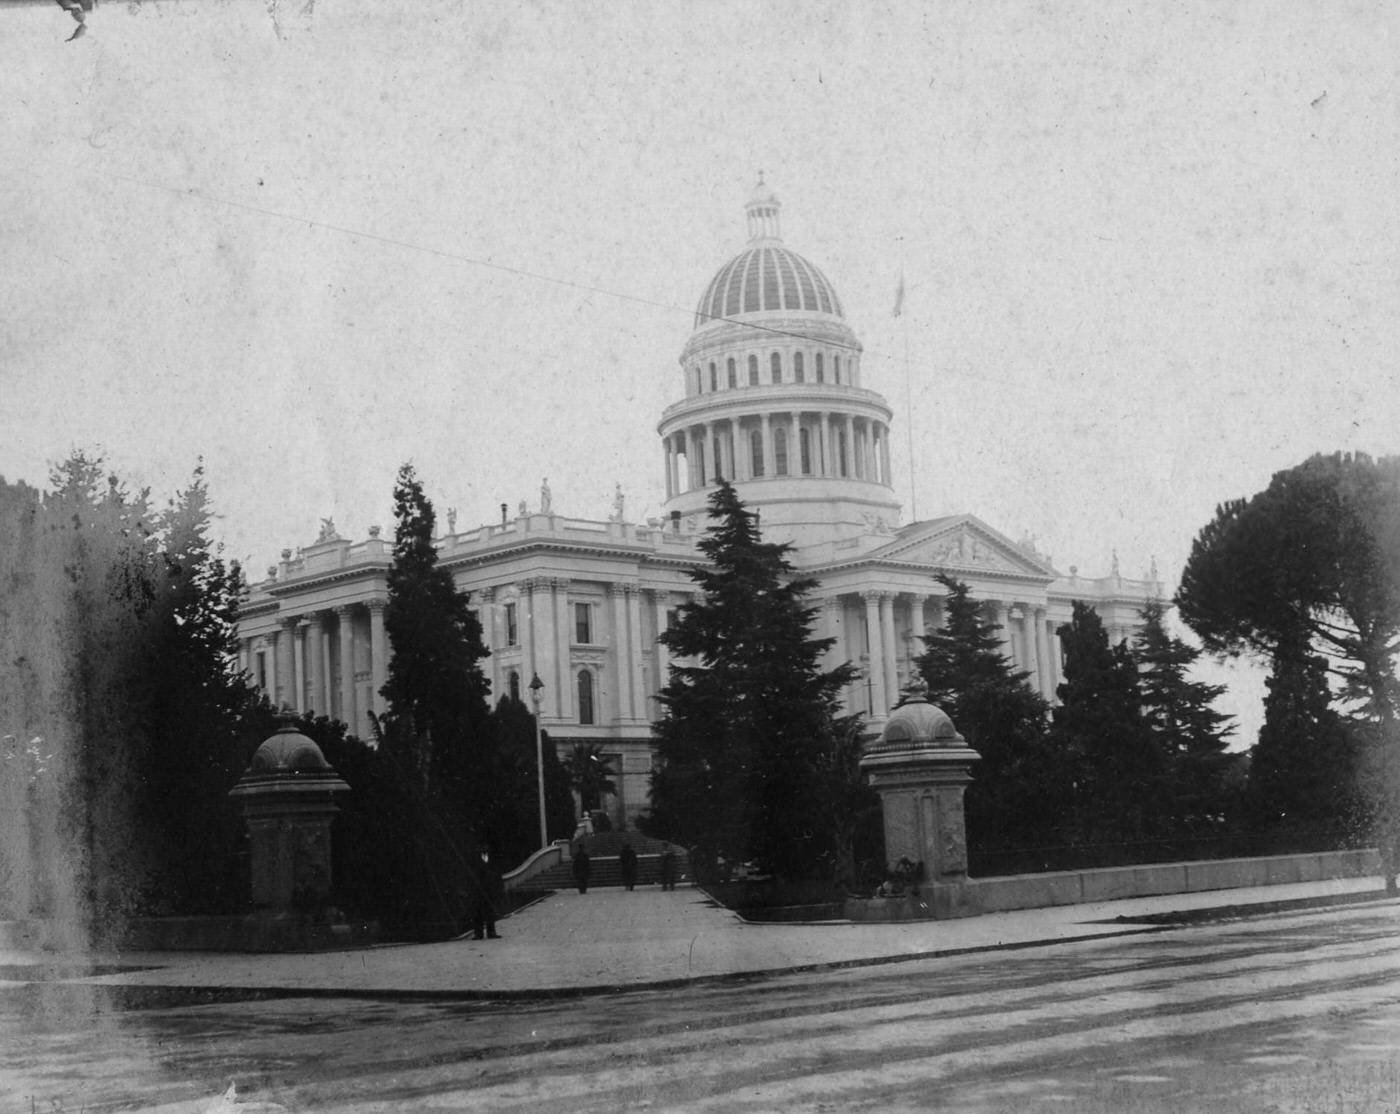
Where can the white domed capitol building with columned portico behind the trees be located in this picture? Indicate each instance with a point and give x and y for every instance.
(773, 400)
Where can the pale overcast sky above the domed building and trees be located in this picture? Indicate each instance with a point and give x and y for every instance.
(1151, 251)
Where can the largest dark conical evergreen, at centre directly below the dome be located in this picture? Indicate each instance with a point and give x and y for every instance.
(748, 709)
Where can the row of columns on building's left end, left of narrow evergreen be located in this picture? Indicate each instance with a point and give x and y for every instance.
(310, 665)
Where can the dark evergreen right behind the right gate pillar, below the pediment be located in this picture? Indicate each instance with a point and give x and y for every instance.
(1002, 719)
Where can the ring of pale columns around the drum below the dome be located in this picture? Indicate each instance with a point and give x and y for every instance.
(723, 447)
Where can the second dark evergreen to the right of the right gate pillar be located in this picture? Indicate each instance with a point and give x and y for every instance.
(1118, 773)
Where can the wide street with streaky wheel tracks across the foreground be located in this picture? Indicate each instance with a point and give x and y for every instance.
(1289, 1013)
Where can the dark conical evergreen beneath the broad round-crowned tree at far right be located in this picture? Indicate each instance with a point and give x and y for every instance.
(1303, 772)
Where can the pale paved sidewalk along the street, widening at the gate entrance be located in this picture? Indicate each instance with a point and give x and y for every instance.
(612, 940)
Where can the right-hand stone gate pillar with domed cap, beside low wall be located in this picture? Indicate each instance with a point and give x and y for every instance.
(920, 766)
